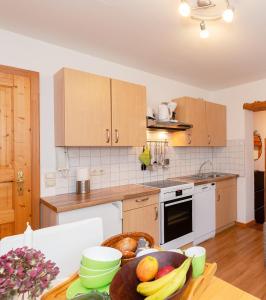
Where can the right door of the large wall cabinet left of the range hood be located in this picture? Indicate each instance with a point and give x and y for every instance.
(128, 114)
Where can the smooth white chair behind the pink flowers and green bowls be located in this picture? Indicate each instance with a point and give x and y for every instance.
(62, 244)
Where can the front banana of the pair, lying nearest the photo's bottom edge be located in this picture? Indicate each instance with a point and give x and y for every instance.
(173, 285)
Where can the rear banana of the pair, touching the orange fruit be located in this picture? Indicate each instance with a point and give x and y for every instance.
(150, 288)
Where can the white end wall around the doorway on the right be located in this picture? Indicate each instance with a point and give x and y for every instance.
(240, 126)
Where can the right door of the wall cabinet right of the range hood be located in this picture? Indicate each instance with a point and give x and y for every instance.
(216, 124)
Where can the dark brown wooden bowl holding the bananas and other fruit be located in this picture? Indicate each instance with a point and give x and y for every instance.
(125, 282)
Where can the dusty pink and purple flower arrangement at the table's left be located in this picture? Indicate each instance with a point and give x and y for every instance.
(24, 272)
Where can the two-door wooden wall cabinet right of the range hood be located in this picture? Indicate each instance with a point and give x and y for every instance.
(208, 120)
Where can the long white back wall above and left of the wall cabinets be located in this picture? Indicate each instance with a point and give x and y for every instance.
(23, 52)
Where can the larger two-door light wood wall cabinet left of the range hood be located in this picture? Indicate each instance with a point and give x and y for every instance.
(92, 110)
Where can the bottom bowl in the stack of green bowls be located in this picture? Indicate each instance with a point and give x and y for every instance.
(94, 282)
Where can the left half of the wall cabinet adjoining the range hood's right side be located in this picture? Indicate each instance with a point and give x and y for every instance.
(191, 111)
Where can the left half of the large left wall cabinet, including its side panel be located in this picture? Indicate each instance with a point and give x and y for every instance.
(82, 109)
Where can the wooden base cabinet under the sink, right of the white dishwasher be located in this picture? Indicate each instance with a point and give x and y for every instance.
(226, 203)
